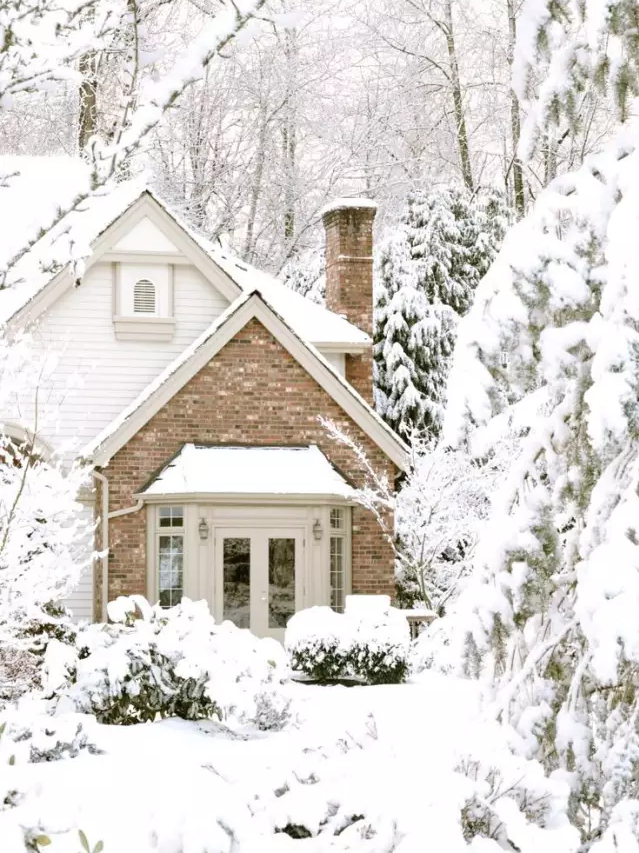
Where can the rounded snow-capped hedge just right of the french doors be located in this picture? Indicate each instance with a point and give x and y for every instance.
(370, 646)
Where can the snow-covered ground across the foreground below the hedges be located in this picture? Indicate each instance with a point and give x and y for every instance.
(370, 769)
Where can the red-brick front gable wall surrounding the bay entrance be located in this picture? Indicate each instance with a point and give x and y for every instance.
(252, 392)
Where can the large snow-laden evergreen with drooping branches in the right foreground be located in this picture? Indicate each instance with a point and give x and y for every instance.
(550, 617)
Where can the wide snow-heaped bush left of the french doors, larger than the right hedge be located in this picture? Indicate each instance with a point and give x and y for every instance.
(149, 663)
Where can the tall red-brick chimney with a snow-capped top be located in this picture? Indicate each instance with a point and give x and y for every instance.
(349, 278)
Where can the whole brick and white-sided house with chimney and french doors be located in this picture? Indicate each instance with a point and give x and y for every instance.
(202, 388)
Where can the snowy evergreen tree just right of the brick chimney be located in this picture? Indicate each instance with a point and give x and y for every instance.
(427, 272)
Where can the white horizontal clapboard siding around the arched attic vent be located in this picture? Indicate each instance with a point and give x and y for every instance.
(98, 375)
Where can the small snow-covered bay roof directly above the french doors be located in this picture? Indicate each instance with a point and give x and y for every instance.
(200, 470)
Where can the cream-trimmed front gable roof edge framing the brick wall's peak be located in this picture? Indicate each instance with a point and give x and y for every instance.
(252, 304)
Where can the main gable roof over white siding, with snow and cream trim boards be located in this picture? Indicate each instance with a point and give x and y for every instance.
(40, 186)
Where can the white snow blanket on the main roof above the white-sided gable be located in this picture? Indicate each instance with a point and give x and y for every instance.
(37, 188)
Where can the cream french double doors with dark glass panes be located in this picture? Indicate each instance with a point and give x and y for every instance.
(258, 577)
